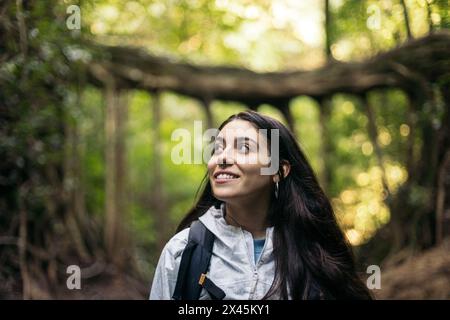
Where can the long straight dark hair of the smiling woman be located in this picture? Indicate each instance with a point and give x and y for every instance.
(311, 252)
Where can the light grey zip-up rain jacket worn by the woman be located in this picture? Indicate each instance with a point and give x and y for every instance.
(232, 267)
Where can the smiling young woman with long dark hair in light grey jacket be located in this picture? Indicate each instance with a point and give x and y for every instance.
(276, 235)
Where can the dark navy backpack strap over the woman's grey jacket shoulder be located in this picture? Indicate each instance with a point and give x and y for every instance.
(194, 265)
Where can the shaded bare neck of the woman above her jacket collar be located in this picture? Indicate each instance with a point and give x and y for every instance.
(249, 215)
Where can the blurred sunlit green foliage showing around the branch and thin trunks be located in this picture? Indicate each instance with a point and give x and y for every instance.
(38, 101)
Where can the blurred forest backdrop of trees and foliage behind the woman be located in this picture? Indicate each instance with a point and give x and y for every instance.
(86, 122)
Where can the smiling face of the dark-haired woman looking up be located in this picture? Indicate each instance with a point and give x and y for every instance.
(235, 166)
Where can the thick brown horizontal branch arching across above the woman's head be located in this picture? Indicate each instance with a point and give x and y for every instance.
(428, 57)
